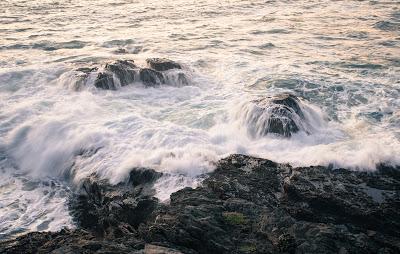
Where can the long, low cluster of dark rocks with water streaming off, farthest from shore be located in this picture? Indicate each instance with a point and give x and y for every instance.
(159, 71)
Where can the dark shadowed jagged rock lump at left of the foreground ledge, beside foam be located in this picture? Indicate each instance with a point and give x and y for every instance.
(116, 209)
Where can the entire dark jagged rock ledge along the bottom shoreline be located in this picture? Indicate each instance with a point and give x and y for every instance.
(247, 205)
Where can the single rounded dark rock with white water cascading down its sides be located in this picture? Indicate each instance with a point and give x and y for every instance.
(280, 115)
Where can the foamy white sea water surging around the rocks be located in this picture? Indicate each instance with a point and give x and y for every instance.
(342, 57)
